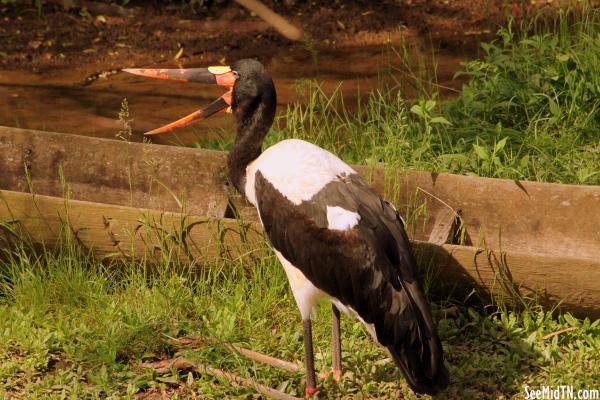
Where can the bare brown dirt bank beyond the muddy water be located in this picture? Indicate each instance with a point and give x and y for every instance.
(61, 38)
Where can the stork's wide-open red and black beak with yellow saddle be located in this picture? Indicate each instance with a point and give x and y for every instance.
(222, 76)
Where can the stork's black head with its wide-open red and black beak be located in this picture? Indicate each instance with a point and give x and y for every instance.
(251, 93)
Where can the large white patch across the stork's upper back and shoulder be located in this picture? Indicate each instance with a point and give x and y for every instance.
(297, 169)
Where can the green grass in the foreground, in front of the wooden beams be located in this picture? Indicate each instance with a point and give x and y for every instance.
(74, 327)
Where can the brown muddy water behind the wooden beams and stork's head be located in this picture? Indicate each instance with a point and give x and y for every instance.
(57, 101)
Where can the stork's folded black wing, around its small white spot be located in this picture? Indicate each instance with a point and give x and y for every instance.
(369, 268)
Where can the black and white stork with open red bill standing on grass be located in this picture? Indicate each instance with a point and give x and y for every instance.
(335, 237)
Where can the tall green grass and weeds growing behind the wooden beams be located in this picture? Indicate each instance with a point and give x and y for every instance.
(530, 111)
